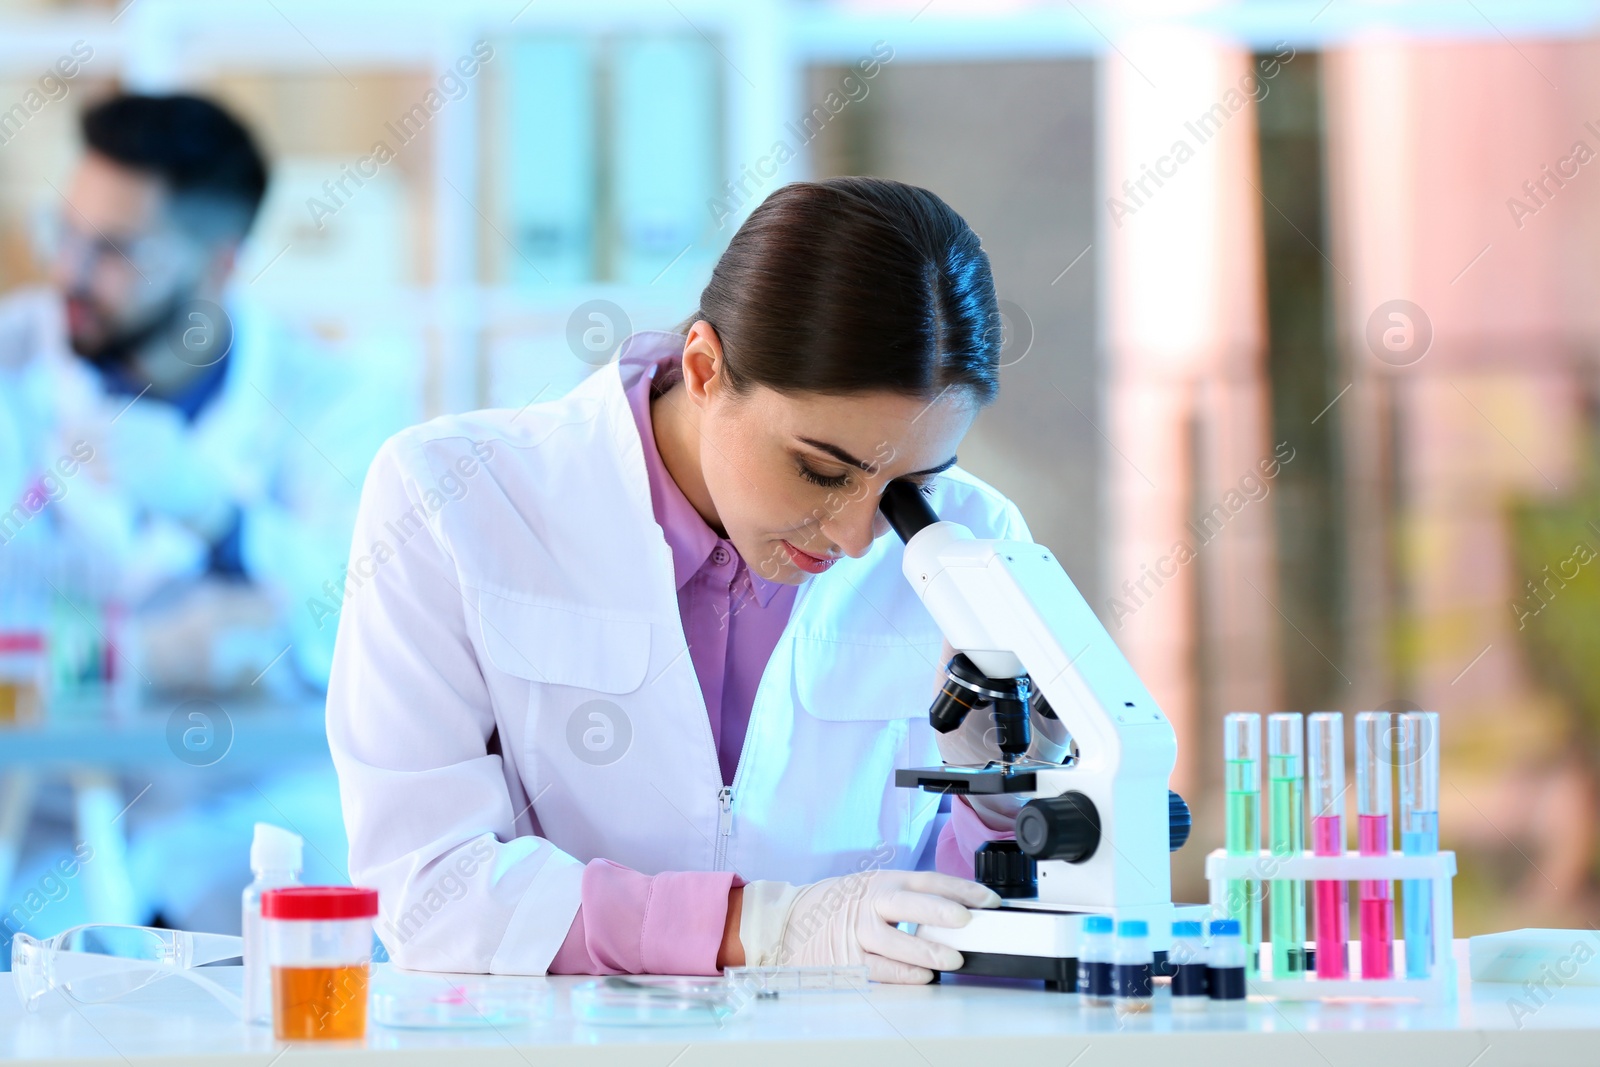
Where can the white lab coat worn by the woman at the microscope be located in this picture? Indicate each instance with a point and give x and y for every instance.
(471, 661)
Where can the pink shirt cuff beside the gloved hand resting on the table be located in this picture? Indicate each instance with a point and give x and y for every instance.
(633, 924)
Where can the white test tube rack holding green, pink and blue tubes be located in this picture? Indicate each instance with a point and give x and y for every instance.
(1439, 869)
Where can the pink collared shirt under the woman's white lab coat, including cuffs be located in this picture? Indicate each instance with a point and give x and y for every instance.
(673, 924)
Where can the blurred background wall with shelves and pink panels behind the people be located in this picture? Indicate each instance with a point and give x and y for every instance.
(1204, 220)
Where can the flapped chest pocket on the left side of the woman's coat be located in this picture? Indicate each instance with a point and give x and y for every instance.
(564, 645)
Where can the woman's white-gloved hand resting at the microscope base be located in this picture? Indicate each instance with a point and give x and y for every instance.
(850, 921)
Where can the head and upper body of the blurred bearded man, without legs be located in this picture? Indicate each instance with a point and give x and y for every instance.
(217, 452)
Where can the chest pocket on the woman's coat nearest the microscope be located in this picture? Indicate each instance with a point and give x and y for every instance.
(866, 679)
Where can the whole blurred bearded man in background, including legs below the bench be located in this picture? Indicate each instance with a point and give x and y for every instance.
(175, 458)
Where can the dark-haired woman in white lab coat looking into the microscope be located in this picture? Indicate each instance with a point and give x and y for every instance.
(623, 679)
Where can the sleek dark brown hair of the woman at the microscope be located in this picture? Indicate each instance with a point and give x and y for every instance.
(852, 286)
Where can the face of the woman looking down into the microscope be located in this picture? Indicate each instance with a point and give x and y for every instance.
(794, 481)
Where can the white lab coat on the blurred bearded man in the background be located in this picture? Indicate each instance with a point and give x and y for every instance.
(290, 434)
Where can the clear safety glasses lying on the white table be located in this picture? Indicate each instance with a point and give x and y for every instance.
(100, 962)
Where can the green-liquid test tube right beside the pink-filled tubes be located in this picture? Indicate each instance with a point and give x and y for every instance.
(1287, 813)
